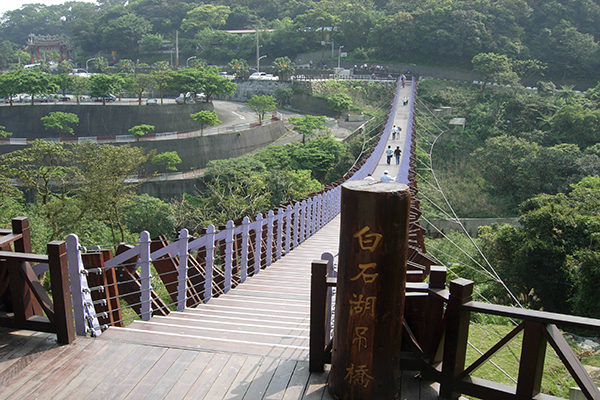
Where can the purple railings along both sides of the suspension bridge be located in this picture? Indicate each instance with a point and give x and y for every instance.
(229, 255)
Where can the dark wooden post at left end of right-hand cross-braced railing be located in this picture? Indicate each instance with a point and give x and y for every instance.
(457, 334)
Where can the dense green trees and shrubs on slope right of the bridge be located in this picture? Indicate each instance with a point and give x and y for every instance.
(525, 153)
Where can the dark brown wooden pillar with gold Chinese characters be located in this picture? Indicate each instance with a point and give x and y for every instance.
(370, 290)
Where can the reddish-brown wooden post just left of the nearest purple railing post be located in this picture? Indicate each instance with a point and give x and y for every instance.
(61, 295)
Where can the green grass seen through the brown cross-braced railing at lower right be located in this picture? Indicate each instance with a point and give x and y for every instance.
(556, 379)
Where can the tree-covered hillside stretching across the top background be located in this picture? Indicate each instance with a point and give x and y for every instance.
(563, 34)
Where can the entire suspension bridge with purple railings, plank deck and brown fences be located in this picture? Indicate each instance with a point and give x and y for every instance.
(242, 312)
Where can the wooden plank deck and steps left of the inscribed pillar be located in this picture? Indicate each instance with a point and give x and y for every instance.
(250, 344)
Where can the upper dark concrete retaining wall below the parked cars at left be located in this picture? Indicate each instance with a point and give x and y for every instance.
(24, 121)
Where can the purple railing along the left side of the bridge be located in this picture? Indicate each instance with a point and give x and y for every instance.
(156, 276)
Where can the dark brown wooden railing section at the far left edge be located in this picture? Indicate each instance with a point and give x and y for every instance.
(25, 303)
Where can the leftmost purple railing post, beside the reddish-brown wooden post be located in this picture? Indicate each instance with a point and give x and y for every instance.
(83, 309)
